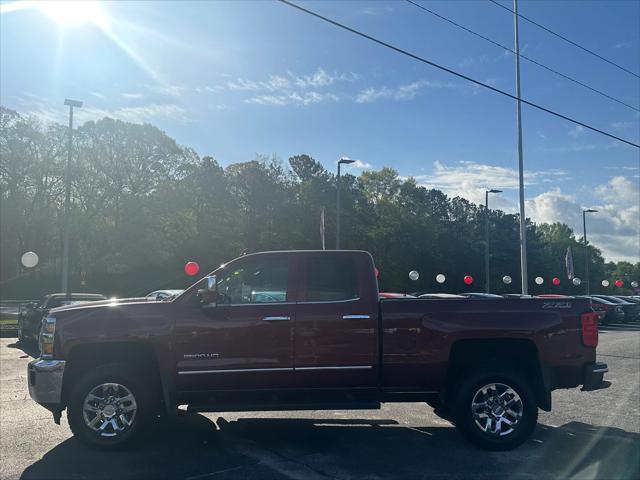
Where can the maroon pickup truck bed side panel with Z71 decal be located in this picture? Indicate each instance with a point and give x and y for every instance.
(418, 336)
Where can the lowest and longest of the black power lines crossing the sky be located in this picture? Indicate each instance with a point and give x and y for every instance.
(453, 72)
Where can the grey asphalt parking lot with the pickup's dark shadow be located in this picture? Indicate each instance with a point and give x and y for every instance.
(587, 436)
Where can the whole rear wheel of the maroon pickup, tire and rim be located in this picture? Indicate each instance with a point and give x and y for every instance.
(495, 408)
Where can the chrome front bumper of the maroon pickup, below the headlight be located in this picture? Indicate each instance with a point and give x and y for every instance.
(45, 382)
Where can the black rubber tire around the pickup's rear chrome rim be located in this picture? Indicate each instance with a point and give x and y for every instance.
(503, 439)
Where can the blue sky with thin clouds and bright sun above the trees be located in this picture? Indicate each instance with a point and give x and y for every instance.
(236, 79)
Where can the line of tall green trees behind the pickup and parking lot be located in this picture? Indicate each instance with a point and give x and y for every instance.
(143, 205)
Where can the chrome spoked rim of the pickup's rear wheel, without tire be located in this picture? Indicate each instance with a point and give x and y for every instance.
(497, 409)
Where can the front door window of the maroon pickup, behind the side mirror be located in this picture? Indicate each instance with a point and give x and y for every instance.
(255, 281)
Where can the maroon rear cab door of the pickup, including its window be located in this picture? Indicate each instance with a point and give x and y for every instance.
(336, 322)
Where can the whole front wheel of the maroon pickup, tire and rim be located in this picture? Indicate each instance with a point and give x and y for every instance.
(108, 407)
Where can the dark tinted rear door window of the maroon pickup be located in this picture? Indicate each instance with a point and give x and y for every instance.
(331, 278)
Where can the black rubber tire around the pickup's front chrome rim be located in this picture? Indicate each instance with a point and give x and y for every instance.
(109, 439)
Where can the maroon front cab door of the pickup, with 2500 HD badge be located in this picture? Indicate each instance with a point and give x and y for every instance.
(245, 340)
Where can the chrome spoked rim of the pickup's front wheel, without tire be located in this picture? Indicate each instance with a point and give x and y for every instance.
(109, 409)
